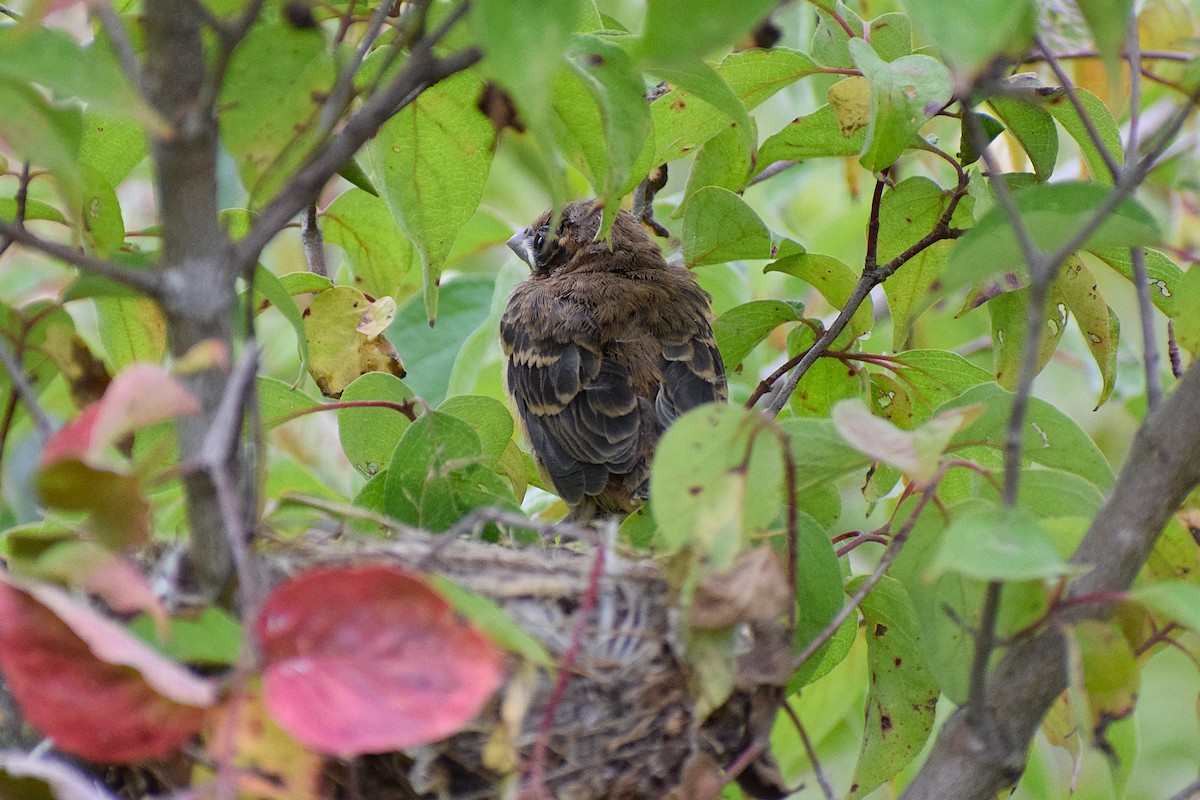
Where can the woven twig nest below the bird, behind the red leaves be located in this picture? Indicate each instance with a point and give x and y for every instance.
(627, 726)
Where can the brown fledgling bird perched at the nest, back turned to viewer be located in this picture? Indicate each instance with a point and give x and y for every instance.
(605, 348)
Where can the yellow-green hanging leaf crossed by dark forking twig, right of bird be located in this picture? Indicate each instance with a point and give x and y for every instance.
(908, 214)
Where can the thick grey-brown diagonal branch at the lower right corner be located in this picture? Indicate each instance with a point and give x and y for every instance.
(1162, 468)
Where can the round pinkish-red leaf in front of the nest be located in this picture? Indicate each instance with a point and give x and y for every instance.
(369, 659)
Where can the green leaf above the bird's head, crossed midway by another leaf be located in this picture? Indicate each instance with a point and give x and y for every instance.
(683, 122)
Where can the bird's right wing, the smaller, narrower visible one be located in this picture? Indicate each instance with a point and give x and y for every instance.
(693, 371)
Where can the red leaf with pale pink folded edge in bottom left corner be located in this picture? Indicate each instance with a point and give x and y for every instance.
(95, 689)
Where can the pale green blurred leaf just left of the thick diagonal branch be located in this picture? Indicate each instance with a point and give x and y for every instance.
(998, 544)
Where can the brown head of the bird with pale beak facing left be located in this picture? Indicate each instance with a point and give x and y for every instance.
(573, 245)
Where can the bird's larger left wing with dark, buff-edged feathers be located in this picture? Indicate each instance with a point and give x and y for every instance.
(579, 407)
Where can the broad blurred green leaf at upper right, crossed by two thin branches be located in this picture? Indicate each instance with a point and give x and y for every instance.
(1053, 214)
